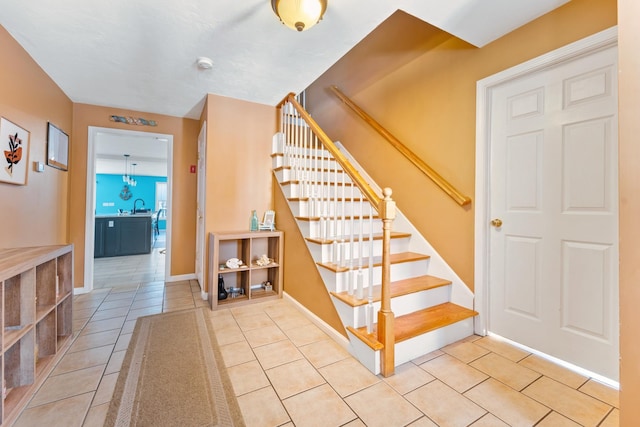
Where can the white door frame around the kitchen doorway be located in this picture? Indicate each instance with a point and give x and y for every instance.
(89, 234)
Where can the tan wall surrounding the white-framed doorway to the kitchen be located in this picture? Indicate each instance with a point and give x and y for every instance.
(183, 206)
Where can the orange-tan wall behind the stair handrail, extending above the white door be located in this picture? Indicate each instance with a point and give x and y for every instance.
(429, 104)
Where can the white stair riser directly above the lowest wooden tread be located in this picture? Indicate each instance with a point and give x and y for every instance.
(400, 305)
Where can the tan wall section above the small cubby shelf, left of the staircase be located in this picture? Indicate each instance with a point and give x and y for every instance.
(239, 176)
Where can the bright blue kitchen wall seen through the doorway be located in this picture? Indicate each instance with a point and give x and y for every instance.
(110, 194)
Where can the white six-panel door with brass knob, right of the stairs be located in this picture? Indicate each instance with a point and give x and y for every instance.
(553, 267)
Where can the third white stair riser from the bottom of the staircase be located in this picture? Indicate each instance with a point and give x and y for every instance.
(339, 282)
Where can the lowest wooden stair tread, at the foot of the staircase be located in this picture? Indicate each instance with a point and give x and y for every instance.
(417, 323)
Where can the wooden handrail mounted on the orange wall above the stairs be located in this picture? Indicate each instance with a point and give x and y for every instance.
(456, 195)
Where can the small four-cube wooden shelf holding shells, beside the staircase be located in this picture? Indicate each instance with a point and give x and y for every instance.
(244, 284)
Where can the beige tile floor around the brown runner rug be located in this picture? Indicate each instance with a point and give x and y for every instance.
(287, 372)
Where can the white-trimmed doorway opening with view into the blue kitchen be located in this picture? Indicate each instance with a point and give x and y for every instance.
(153, 155)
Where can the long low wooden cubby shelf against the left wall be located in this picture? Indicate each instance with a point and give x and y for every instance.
(36, 287)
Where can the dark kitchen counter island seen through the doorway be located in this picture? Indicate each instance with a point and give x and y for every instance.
(122, 234)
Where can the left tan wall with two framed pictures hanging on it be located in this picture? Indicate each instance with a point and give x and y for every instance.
(34, 214)
